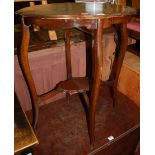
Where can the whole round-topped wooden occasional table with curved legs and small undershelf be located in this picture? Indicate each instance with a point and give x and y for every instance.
(68, 16)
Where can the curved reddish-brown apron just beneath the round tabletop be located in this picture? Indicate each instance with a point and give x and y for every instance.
(71, 23)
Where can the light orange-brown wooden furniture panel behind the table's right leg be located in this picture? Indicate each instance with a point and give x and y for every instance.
(129, 79)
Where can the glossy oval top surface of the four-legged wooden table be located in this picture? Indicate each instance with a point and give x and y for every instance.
(76, 10)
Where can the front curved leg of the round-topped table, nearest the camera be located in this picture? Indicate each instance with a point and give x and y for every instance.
(96, 81)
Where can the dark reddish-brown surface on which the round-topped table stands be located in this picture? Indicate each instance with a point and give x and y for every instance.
(62, 127)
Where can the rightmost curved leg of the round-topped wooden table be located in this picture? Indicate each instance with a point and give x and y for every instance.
(120, 53)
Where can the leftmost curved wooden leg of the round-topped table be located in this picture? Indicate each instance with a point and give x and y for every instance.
(24, 64)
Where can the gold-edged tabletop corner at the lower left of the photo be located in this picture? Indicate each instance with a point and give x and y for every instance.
(24, 135)
